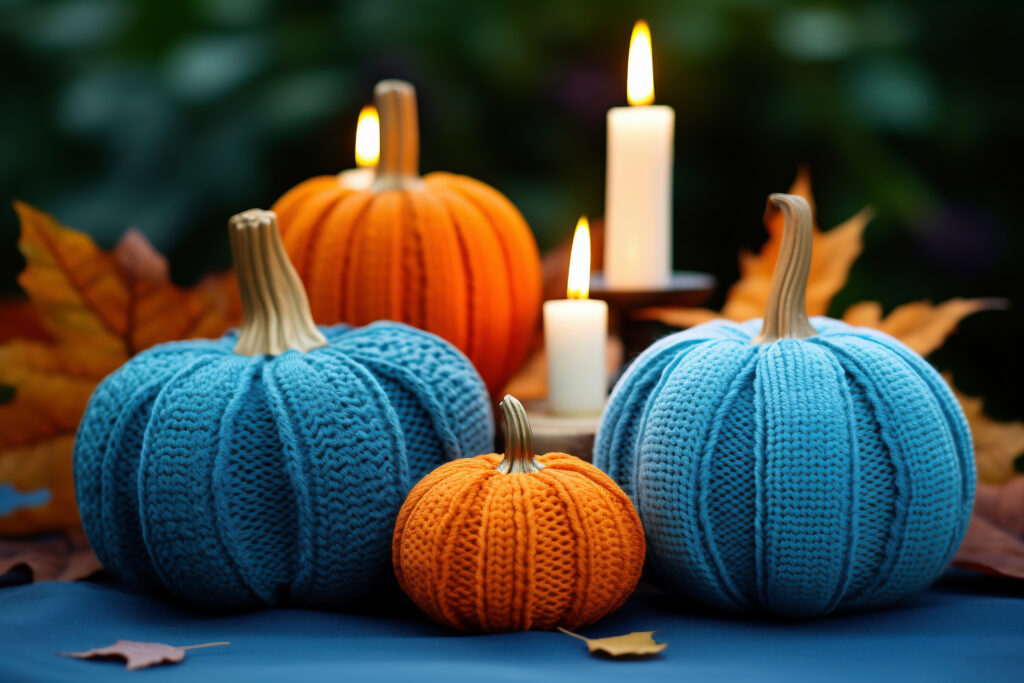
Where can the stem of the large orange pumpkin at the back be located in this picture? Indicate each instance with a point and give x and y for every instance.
(399, 167)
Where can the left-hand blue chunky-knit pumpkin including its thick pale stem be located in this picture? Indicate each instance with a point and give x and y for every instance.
(268, 467)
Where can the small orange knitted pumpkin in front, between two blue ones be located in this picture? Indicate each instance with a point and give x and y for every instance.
(518, 543)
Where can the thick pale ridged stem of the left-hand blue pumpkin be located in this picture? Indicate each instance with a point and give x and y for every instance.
(276, 314)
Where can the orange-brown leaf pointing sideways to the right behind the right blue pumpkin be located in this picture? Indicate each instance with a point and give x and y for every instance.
(921, 325)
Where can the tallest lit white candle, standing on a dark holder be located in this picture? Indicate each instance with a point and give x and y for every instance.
(638, 192)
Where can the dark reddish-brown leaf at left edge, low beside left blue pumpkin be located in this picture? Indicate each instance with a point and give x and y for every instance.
(66, 559)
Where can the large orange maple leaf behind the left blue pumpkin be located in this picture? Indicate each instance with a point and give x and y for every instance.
(99, 309)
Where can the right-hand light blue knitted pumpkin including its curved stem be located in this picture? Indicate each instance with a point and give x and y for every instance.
(813, 467)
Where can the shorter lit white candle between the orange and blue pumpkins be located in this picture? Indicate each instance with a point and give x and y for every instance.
(576, 333)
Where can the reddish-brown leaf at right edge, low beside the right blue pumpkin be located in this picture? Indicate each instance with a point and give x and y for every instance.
(995, 540)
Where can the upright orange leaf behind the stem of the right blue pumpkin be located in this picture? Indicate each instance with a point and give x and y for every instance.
(833, 257)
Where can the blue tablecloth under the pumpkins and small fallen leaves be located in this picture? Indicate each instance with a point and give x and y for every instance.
(966, 628)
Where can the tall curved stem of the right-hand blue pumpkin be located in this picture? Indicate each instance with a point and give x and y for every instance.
(786, 315)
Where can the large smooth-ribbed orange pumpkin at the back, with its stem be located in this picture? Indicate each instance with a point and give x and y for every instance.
(445, 253)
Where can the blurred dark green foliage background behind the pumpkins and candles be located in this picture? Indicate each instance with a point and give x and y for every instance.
(170, 116)
